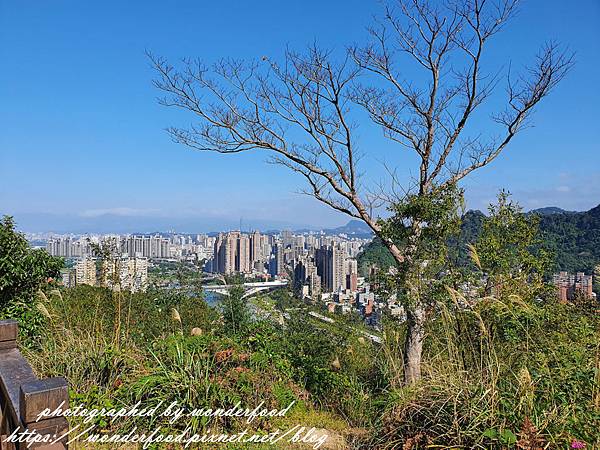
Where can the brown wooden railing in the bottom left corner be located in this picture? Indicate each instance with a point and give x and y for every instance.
(23, 397)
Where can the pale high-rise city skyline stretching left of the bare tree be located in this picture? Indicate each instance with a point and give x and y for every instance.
(318, 266)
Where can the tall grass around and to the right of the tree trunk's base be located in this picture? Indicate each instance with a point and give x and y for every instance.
(501, 374)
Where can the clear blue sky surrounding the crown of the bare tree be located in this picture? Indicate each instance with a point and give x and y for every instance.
(82, 144)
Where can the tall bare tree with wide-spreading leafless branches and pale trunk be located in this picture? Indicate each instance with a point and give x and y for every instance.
(302, 111)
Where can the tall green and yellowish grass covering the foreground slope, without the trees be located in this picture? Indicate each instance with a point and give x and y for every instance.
(497, 372)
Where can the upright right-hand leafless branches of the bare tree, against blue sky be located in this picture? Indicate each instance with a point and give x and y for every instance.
(430, 120)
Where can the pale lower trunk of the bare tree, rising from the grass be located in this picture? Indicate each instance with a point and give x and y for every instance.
(413, 344)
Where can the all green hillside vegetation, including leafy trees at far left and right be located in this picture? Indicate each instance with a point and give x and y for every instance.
(502, 368)
